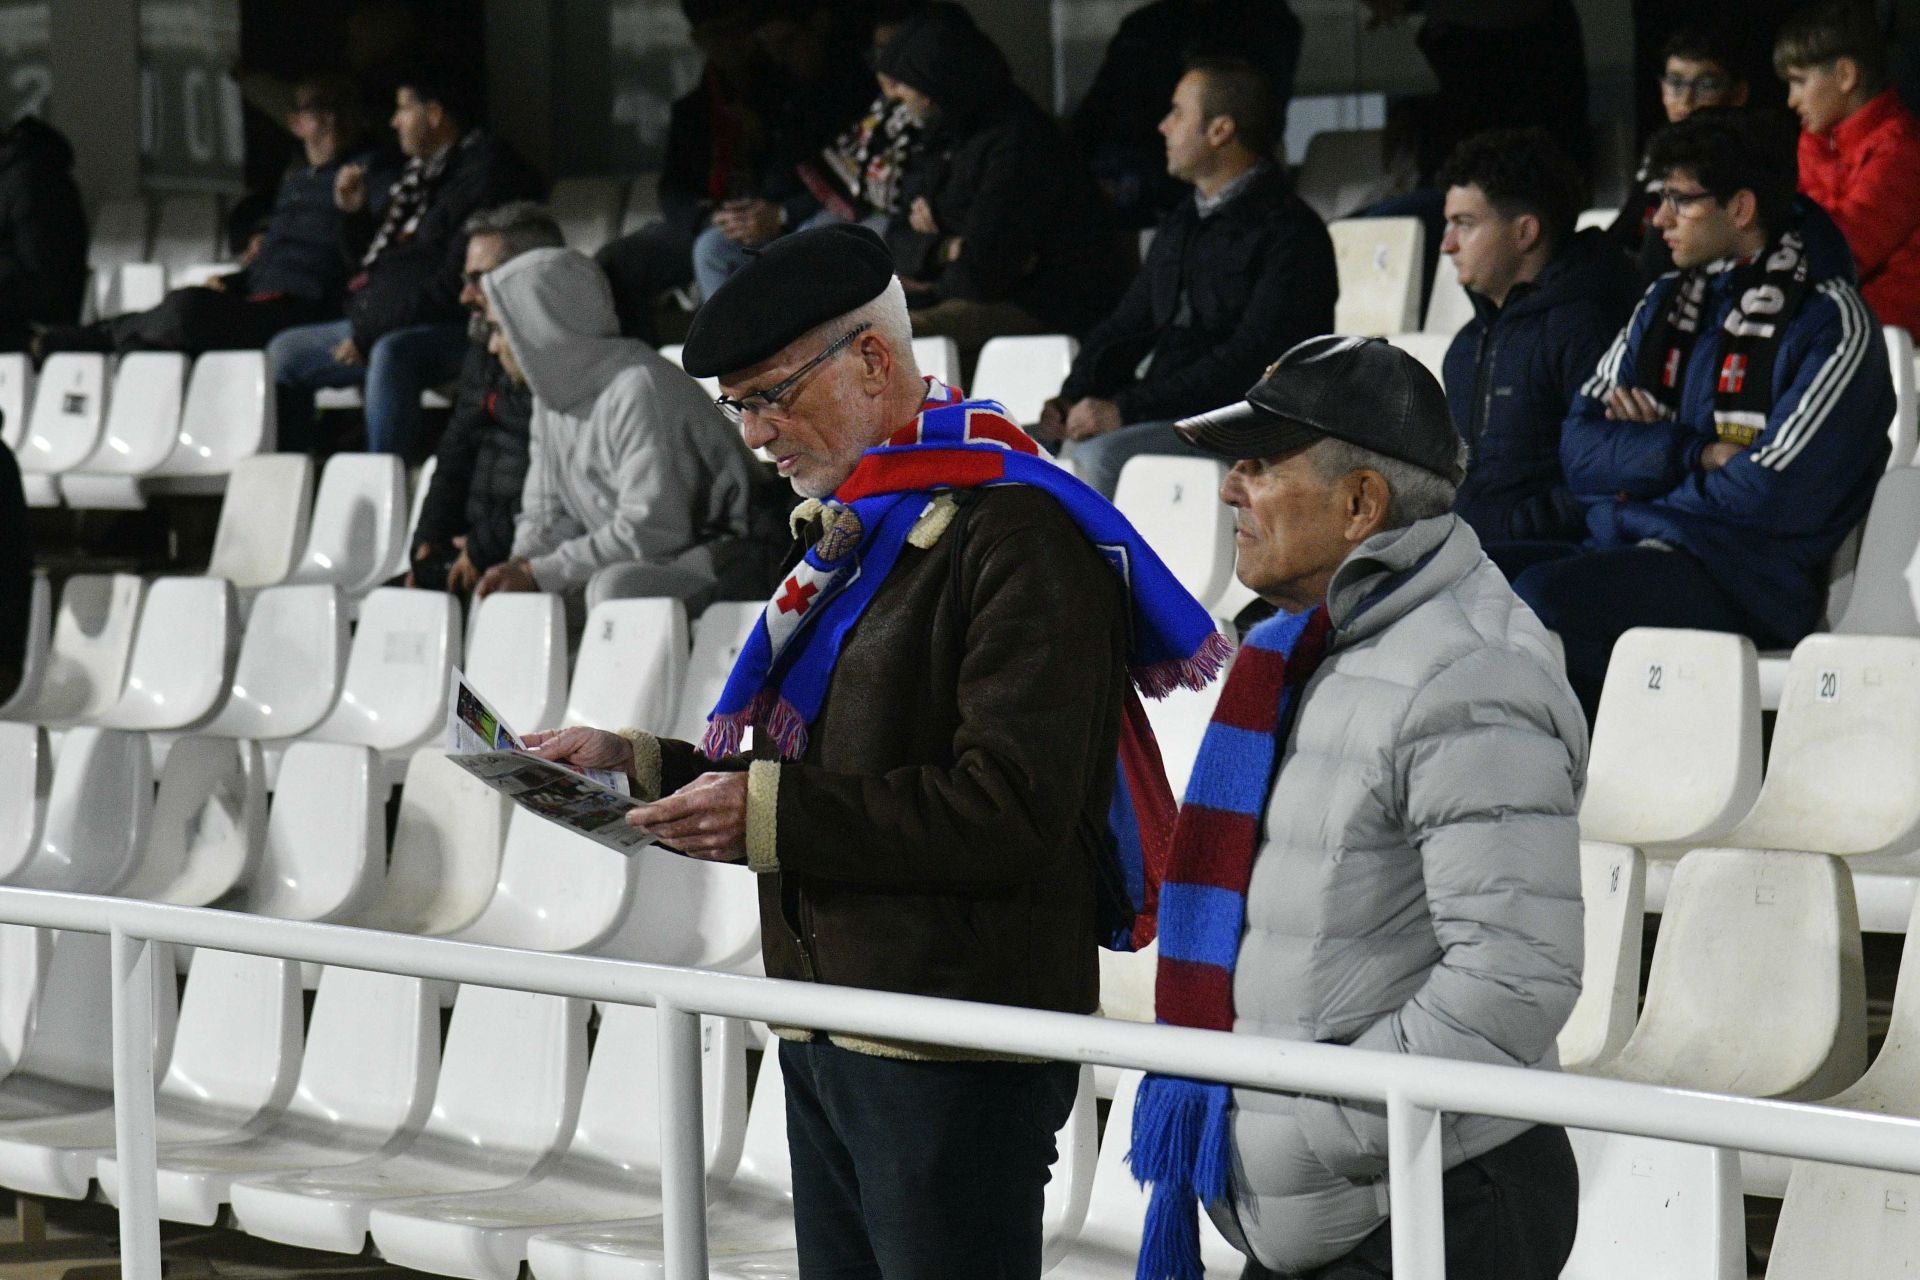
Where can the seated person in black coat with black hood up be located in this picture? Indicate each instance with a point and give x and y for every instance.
(1005, 229)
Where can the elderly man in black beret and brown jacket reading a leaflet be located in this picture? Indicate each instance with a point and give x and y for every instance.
(940, 696)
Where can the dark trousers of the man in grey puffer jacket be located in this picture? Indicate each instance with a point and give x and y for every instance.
(1510, 1216)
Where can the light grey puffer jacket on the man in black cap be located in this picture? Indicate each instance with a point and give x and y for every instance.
(1418, 889)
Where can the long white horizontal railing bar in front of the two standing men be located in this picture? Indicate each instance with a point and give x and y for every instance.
(1796, 1131)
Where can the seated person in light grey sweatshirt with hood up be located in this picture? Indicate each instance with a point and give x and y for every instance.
(629, 458)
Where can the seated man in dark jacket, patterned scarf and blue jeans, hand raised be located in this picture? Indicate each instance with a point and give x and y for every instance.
(404, 331)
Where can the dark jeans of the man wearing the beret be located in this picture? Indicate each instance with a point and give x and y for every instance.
(921, 1170)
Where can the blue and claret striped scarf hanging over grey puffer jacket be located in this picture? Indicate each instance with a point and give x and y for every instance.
(1182, 1129)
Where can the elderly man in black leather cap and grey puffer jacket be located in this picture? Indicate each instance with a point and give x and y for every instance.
(1414, 880)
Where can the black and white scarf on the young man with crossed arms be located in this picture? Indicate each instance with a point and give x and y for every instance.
(1767, 293)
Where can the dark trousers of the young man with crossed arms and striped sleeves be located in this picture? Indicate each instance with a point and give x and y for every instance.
(1593, 598)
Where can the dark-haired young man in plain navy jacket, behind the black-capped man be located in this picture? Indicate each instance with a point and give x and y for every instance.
(1547, 304)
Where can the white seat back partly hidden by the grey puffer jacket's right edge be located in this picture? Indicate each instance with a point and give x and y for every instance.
(1614, 889)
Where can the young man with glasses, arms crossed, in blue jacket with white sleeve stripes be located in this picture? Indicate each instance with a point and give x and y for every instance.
(1733, 435)
